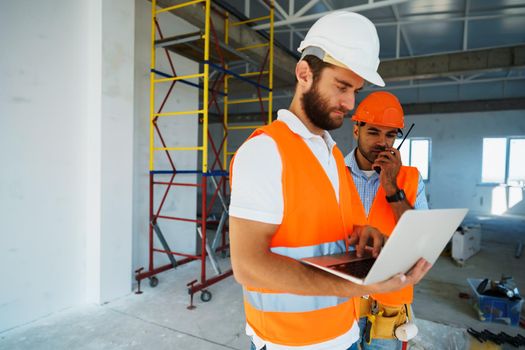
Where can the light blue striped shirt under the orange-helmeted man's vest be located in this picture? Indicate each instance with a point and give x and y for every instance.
(367, 186)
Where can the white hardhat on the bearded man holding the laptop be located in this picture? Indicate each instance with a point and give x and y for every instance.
(348, 40)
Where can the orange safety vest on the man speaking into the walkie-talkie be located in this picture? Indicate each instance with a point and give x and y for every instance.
(382, 217)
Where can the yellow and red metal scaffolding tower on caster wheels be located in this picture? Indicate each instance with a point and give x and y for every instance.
(197, 46)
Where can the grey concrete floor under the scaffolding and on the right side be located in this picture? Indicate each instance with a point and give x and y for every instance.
(158, 319)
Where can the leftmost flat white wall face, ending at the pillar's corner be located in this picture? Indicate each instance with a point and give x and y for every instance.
(43, 110)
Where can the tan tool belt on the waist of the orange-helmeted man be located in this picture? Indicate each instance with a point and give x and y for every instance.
(382, 320)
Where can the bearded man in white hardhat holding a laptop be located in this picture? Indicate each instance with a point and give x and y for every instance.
(290, 199)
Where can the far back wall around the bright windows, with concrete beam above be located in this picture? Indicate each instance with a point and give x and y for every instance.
(457, 150)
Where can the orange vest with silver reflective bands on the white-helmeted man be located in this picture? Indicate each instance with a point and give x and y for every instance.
(313, 224)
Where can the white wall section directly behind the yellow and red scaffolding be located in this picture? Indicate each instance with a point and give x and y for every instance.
(177, 131)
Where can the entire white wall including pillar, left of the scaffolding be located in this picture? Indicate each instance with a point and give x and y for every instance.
(66, 128)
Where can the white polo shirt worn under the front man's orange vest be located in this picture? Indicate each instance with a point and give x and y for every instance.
(257, 195)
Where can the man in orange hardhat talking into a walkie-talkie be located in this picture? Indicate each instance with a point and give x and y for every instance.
(382, 190)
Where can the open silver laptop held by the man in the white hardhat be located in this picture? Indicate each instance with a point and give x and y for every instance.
(418, 234)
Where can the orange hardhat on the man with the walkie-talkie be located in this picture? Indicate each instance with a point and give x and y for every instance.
(380, 108)
